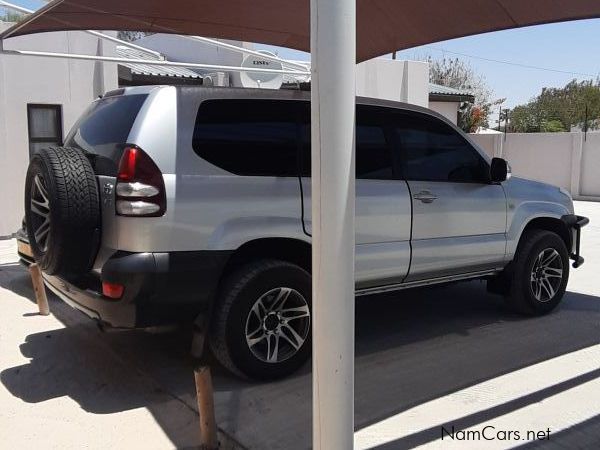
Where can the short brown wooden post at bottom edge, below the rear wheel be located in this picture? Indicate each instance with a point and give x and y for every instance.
(206, 408)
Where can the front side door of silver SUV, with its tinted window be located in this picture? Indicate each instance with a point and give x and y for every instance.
(459, 217)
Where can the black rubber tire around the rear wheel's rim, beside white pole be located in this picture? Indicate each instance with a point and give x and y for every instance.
(233, 312)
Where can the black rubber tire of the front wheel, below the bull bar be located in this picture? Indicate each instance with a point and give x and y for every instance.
(521, 292)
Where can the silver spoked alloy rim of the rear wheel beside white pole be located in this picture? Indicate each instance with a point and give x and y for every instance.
(277, 325)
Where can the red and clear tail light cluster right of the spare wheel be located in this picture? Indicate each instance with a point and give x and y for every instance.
(140, 186)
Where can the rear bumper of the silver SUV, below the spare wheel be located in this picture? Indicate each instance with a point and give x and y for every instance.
(159, 288)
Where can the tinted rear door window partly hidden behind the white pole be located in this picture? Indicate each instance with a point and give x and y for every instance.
(373, 156)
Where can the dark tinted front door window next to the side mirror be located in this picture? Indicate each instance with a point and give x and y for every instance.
(427, 149)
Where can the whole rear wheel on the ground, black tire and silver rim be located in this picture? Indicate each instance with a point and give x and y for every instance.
(262, 321)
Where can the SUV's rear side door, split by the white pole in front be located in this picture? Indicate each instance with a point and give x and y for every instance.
(382, 201)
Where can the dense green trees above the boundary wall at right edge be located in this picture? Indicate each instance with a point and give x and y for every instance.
(560, 109)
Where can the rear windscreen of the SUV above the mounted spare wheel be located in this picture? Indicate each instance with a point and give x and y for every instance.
(103, 129)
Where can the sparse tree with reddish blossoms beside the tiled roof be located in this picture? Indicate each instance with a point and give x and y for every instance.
(459, 74)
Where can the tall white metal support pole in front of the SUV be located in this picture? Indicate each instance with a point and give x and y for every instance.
(333, 56)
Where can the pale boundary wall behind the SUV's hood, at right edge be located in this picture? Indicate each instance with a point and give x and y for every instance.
(562, 159)
